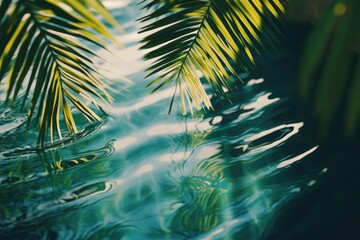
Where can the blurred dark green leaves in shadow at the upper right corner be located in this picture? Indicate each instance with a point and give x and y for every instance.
(330, 69)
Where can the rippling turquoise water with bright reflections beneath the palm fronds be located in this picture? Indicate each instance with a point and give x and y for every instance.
(145, 174)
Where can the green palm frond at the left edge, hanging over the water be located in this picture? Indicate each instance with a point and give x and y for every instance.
(43, 47)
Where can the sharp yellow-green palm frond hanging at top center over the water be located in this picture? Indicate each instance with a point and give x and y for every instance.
(210, 36)
